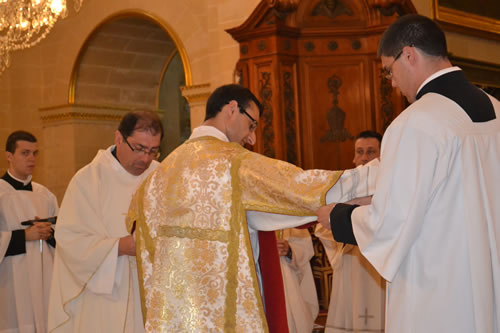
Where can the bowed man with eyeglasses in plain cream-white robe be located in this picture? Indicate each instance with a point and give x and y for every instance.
(94, 285)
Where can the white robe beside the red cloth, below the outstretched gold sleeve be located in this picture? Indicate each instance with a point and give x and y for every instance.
(298, 283)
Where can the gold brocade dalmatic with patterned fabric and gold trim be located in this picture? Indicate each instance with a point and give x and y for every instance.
(194, 258)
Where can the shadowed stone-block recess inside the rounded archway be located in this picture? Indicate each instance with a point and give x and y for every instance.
(122, 62)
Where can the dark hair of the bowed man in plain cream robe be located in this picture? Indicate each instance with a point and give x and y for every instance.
(141, 121)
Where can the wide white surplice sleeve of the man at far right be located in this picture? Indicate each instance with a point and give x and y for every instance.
(386, 229)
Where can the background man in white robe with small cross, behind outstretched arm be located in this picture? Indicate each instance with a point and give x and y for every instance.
(357, 302)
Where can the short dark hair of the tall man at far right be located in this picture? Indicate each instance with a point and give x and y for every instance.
(413, 30)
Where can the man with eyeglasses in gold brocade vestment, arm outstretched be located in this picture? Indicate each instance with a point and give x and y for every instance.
(199, 214)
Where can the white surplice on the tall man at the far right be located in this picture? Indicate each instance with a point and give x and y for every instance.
(433, 229)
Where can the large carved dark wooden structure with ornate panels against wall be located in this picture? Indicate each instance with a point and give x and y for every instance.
(314, 66)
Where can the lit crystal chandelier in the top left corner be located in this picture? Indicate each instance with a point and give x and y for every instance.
(24, 23)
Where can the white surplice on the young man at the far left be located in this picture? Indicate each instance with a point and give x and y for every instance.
(24, 278)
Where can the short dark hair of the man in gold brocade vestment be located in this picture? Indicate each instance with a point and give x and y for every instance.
(227, 93)
